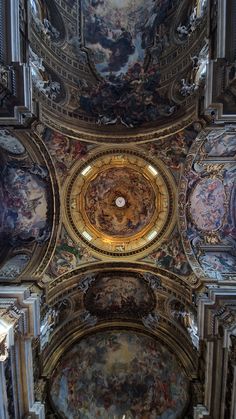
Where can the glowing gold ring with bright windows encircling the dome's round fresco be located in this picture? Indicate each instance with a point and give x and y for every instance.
(100, 244)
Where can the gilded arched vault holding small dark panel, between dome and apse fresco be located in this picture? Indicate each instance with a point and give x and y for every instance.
(115, 294)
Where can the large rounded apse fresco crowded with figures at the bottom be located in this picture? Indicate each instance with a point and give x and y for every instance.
(119, 374)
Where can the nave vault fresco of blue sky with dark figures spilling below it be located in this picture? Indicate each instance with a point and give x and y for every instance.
(119, 33)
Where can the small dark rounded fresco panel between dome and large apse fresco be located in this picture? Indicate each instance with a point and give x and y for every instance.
(116, 294)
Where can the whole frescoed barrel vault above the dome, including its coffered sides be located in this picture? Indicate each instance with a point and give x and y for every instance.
(124, 54)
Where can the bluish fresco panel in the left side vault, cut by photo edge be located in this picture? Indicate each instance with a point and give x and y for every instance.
(23, 205)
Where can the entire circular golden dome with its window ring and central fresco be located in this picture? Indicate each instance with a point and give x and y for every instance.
(120, 203)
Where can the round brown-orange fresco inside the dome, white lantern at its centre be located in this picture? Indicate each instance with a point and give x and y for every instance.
(120, 202)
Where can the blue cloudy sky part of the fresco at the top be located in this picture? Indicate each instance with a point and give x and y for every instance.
(118, 31)
